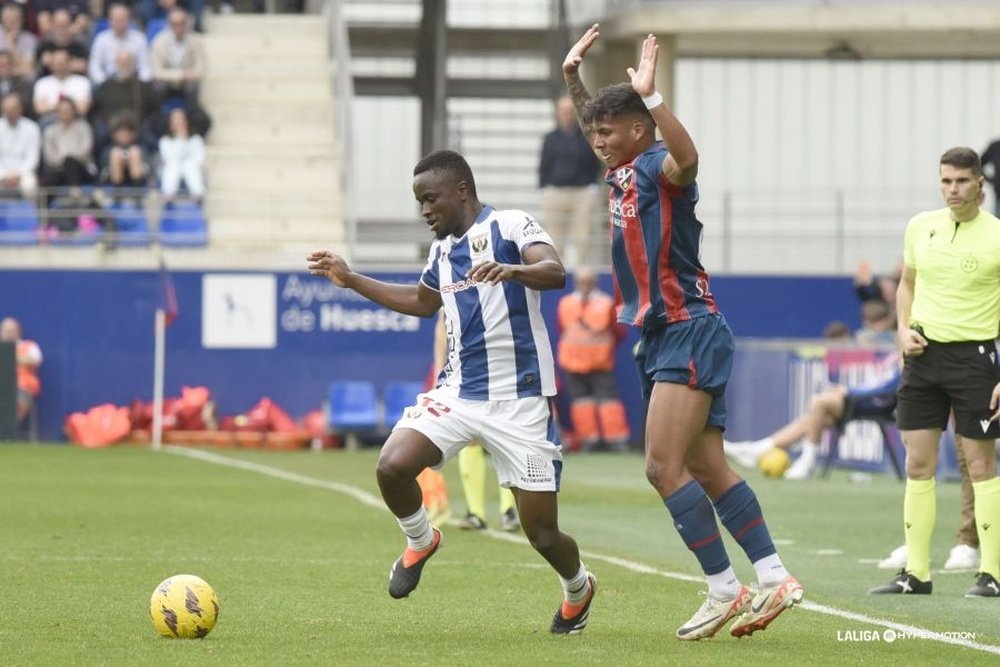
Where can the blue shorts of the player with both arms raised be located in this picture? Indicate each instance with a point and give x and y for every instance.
(697, 353)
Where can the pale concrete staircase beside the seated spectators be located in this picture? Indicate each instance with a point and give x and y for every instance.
(274, 182)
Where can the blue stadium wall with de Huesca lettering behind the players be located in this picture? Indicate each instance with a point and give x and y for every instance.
(287, 335)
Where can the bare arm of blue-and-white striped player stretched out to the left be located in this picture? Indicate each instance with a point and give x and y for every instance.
(418, 300)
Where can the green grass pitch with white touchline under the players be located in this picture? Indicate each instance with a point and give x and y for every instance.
(299, 555)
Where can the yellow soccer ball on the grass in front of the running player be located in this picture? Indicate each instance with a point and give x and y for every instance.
(184, 606)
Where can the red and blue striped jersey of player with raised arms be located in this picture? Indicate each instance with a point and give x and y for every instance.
(655, 245)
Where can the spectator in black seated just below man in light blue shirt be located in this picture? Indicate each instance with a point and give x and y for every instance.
(124, 92)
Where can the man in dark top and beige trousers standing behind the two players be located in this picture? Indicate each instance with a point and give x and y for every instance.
(567, 175)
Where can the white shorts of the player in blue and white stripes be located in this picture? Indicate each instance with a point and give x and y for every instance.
(520, 434)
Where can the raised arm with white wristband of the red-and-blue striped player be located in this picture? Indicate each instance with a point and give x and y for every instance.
(680, 167)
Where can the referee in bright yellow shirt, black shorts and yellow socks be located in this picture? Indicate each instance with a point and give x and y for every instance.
(948, 309)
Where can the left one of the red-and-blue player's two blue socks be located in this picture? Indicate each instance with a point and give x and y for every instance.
(694, 519)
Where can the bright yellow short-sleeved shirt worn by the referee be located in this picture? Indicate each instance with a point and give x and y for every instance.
(957, 290)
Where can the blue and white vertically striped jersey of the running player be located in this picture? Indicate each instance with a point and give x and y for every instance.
(498, 346)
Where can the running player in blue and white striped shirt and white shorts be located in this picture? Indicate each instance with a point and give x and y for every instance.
(485, 269)
